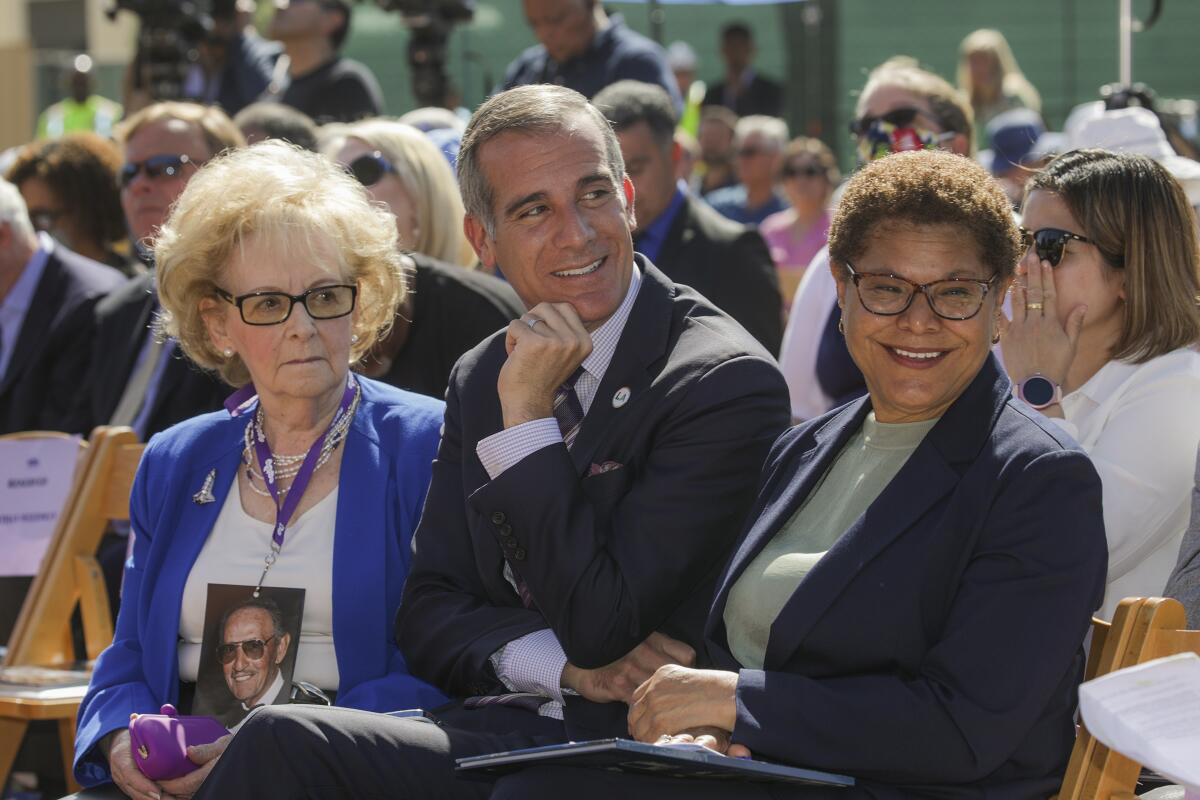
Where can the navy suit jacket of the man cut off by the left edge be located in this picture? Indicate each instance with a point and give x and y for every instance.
(43, 378)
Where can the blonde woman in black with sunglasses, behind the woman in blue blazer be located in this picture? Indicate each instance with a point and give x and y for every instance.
(451, 310)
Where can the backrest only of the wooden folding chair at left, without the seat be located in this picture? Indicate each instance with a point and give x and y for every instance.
(70, 575)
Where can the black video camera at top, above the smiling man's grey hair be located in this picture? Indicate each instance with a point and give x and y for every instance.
(430, 23)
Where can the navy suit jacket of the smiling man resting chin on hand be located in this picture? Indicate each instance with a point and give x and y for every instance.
(609, 557)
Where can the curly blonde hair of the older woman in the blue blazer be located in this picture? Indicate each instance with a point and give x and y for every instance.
(303, 204)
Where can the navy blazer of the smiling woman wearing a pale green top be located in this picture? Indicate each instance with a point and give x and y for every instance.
(937, 648)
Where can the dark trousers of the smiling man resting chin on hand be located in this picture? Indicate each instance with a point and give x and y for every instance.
(319, 753)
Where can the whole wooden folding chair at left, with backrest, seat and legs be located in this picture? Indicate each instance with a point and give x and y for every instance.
(70, 578)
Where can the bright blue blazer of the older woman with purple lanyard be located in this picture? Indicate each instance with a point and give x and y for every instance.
(385, 476)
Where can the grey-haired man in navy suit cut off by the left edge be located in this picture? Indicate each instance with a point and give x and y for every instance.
(47, 294)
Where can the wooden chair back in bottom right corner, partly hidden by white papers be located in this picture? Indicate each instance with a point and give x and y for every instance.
(1143, 629)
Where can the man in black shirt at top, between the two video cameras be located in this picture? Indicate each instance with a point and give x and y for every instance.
(321, 83)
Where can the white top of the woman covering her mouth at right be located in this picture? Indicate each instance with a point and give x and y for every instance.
(1141, 424)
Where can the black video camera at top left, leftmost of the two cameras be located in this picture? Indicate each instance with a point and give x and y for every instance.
(169, 43)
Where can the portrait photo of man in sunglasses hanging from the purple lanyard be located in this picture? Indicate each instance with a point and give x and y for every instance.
(249, 652)
